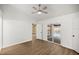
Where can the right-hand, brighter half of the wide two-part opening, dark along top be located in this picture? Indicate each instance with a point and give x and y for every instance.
(56, 33)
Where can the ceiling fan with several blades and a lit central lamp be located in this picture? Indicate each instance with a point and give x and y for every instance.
(39, 9)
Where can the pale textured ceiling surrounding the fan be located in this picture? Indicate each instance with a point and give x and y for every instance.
(53, 10)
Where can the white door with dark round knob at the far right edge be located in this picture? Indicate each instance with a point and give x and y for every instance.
(75, 34)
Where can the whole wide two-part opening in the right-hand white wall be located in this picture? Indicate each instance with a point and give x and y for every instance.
(54, 34)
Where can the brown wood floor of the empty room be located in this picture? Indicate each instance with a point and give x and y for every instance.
(37, 47)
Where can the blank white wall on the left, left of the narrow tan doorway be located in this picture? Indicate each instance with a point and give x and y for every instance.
(17, 28)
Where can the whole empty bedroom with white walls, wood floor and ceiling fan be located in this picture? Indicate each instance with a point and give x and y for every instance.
(23, 30)
